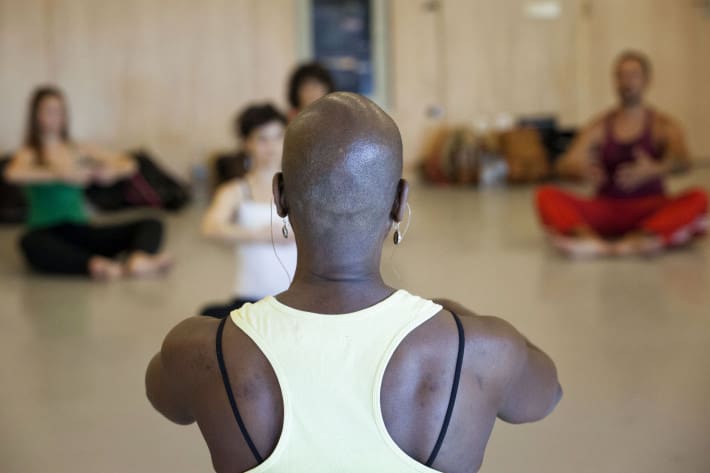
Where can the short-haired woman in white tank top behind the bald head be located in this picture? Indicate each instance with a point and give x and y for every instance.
(242, 213)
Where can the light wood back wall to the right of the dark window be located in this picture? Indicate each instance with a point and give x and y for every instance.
(476, 59)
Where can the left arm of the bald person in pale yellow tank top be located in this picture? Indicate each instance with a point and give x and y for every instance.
(171, 373)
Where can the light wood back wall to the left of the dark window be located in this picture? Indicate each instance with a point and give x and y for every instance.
(168, 75)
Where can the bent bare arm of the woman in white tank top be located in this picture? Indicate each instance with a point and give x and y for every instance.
(219, 224)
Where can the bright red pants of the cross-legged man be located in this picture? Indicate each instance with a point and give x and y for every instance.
(676, 220)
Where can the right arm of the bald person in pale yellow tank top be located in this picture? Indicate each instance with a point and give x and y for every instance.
(525, 376)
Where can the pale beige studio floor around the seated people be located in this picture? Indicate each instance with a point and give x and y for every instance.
(631, 340)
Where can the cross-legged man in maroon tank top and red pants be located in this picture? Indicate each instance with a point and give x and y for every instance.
(626, 154)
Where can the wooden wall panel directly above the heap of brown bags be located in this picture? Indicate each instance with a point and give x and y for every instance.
(501, 61)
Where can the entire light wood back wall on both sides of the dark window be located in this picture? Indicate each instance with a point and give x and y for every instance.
(170, 74)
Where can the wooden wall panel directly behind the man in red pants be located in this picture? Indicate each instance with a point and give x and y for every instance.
(675, 35)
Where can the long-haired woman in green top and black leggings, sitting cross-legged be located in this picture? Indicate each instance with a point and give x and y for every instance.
(54, 171)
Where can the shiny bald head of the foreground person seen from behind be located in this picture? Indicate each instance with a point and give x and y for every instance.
(342, 165)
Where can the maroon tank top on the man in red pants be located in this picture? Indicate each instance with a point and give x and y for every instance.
(614, 153)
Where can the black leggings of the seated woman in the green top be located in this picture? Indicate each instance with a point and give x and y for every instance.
(67, 248)
